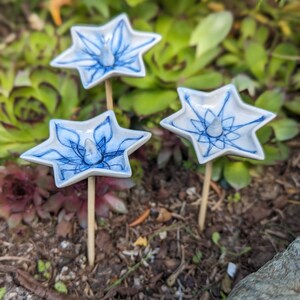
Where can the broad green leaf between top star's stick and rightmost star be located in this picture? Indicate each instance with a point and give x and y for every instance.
(147, 102)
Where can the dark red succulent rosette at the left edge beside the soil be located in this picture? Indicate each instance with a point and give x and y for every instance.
(22, 193)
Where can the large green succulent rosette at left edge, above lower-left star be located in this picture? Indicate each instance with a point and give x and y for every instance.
(28, 101)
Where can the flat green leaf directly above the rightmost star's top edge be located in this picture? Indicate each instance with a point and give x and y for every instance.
(210, 80)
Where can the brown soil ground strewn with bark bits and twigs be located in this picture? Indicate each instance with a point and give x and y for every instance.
(266, 218)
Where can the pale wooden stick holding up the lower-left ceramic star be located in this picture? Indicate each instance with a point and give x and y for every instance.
(91, 221)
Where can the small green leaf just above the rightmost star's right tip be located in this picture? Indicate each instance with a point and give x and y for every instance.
(270, 100)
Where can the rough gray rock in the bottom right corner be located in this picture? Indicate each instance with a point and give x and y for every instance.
(277, 279)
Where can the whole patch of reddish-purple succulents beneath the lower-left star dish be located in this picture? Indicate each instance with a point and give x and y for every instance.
(28, 193)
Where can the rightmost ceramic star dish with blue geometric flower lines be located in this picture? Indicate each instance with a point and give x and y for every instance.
(218, 123)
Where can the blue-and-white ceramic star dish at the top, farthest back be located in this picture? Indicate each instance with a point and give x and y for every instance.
(110, 50)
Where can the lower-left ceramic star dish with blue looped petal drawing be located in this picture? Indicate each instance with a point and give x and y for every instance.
(77, 150)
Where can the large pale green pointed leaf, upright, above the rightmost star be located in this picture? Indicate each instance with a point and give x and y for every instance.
(211, 31)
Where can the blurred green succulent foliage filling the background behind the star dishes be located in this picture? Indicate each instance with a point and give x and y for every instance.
(205, 44)
